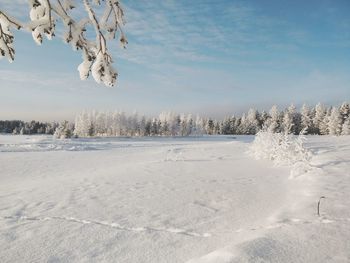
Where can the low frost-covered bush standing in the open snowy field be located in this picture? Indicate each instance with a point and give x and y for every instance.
(284, 149)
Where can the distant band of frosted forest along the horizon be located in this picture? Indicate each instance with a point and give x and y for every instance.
(319, 120)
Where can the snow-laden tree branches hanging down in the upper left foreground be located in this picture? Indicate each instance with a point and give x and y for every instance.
(44, 15)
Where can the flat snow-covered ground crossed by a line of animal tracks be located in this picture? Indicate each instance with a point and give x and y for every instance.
(170, 200)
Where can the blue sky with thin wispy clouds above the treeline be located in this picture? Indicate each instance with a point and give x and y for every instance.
(201, 56)
